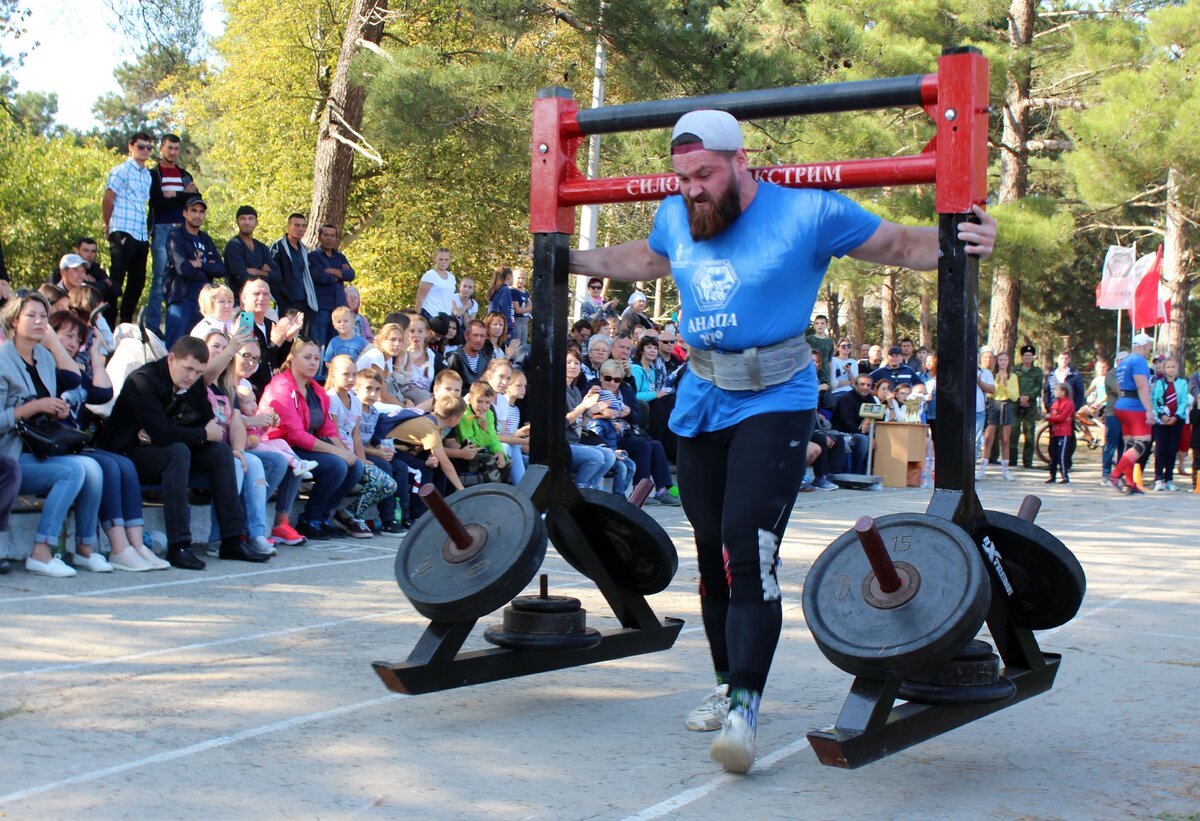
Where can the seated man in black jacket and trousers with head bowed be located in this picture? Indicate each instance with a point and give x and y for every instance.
(164, 422)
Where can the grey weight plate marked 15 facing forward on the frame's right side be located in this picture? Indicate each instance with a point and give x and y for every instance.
(946, 613)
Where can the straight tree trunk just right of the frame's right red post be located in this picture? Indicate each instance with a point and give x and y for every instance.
(1015, 164)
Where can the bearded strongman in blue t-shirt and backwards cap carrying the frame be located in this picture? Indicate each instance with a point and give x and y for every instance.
(748, 259)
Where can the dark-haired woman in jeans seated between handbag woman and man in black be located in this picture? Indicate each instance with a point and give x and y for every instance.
(121, 505)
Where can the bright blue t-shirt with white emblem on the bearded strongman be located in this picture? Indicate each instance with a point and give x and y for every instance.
(754, 285)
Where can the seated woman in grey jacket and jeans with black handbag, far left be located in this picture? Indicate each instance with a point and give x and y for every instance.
(34, 369)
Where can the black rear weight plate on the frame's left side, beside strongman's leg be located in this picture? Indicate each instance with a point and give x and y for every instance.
(632, 546)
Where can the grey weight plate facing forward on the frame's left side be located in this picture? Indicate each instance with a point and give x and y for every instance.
(446, 591)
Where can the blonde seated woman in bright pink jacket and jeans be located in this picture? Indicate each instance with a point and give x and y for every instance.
(305, 424)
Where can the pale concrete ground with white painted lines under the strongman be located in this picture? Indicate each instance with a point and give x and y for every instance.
(248, 692)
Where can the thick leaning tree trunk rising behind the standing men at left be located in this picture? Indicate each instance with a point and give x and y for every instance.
(341, 121)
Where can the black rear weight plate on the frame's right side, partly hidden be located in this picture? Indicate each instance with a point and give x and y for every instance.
(1047, 579)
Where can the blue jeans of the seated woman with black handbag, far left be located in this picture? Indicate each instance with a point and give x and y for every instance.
(64, 482)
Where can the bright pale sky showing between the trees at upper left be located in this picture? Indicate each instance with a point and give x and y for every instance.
(77, 51)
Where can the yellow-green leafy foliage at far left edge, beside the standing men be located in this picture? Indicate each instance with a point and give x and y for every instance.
(50, 196)
